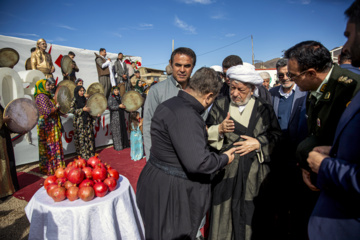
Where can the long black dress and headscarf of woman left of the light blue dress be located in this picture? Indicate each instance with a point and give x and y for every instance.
(117, 123)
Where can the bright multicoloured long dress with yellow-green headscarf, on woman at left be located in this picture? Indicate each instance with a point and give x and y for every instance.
(51, 154)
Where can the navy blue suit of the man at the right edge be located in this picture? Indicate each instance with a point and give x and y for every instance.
(337, 212)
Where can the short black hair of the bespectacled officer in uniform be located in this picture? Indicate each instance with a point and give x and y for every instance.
(310, 54)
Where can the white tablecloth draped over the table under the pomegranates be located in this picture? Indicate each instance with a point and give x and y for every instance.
(114, 216)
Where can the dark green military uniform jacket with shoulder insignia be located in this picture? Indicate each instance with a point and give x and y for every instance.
(324, 114)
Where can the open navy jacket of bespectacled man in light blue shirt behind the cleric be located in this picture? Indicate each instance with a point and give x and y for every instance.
(297, 127)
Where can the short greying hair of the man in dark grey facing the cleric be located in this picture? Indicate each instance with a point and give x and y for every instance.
(204, 81)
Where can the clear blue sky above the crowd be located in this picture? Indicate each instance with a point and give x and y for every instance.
(214, 29)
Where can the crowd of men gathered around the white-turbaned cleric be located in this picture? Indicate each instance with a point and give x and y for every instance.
(294, 169)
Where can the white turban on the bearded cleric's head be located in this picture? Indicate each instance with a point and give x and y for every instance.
(245, 73)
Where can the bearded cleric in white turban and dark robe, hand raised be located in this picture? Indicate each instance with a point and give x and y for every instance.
(249, 123)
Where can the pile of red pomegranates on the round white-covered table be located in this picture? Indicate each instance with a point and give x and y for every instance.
(81, 179)
